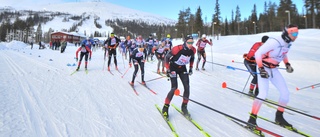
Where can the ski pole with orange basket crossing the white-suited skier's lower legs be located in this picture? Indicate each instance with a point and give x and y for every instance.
(224, 85)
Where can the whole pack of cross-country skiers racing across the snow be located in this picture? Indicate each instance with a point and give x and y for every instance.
(262, 62)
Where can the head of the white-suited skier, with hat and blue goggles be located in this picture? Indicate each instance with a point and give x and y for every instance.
(289, 33)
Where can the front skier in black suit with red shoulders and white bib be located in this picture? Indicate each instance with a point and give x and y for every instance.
(175, 62)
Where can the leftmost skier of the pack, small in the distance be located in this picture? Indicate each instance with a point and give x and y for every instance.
(85, 51)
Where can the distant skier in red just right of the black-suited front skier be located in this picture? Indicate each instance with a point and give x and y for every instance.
(201, 44)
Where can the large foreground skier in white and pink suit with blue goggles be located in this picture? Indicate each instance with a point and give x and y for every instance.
(268, 58)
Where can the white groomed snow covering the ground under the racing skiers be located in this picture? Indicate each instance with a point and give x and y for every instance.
(40, 98)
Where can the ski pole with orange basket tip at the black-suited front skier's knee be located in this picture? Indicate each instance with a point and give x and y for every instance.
(177, 93)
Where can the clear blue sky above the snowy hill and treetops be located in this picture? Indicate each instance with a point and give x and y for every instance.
(171, 8)
